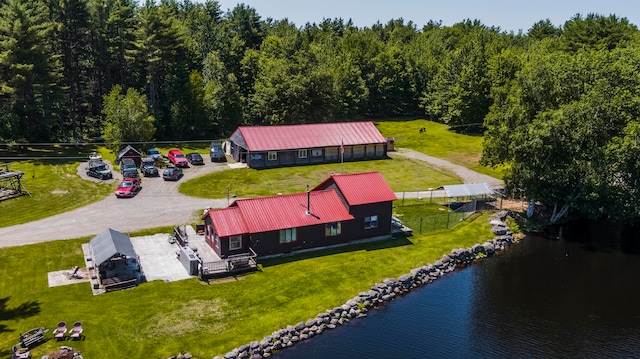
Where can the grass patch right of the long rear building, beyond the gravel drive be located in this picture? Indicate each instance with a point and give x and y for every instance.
(439, 141)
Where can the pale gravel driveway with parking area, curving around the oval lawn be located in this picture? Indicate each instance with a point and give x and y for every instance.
(159, 204)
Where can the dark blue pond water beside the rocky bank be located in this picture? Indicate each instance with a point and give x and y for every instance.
(542, 298)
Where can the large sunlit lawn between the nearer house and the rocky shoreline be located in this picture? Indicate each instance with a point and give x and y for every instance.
(157, 319)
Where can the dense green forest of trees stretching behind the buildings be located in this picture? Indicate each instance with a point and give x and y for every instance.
(559, 105)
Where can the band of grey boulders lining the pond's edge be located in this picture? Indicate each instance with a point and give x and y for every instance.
(376, 296)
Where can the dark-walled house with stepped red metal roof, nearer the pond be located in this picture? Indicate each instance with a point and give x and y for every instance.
(341, 209)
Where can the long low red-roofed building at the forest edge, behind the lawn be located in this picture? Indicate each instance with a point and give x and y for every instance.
(271, 146)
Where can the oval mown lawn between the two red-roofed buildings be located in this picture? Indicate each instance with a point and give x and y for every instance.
(400, 173)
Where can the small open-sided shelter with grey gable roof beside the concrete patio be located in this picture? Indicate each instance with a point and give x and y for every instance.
(115, 261)
